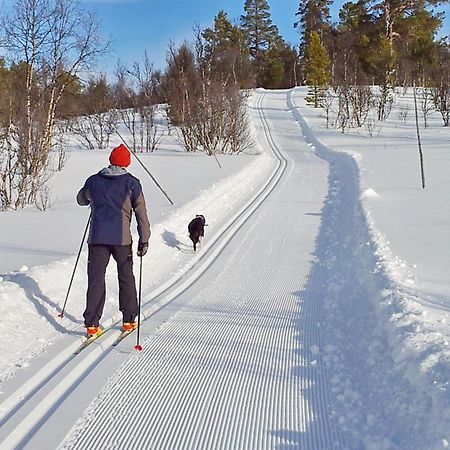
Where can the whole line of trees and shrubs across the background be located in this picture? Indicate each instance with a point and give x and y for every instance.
(49, 49)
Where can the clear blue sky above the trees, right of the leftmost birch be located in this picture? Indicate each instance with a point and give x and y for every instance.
(135, 26)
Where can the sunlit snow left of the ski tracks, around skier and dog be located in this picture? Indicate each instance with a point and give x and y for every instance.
(34, 296)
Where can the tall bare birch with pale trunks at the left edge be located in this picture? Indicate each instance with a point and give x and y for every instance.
(51, 41)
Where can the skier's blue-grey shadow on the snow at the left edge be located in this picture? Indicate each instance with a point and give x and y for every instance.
(39, 300)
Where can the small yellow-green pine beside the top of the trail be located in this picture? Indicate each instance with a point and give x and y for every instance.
(317, 69)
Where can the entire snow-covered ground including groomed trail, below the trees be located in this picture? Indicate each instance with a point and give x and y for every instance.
(314, 316)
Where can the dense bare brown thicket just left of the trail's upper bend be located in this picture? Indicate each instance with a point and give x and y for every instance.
(208, 109)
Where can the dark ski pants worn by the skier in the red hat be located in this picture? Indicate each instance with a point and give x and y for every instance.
(95, 300)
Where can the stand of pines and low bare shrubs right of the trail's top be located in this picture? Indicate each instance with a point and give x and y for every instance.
(383, 43)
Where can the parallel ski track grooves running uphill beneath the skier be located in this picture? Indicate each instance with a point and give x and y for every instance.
(86, 359)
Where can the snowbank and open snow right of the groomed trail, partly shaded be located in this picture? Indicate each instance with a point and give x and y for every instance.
(374, 292)
